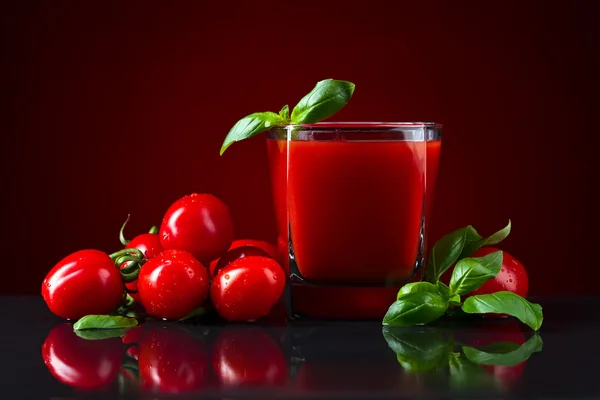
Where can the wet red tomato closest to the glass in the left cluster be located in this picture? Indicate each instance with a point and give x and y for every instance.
(247, 288)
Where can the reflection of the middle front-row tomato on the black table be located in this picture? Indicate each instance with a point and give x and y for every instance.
(172, 361)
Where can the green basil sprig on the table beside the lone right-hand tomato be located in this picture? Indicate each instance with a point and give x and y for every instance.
(420, 303)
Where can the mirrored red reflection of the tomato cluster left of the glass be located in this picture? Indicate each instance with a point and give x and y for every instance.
(166, 358)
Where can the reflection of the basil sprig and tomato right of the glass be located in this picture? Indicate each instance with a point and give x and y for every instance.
(479, 357)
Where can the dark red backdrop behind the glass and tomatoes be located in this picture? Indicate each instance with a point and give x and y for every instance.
(112, 108)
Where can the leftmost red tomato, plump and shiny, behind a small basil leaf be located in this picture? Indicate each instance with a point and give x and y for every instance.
(85, 282)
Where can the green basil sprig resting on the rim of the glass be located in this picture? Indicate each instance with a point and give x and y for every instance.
(327, 98)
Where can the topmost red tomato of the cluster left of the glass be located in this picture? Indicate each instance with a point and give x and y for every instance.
(199, 224)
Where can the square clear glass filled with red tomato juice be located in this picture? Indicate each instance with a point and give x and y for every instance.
(352, 201)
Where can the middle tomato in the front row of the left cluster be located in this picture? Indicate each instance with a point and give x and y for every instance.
(172, 284)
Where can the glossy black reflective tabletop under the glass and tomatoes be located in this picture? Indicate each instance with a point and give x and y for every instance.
(457, 358)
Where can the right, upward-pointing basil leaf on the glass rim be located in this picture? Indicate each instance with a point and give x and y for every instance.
(328, 97)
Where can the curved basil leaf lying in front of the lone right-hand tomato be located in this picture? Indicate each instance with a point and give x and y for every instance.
(506, 303)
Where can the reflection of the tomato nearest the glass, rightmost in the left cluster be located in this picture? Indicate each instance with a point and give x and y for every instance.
(247, 357)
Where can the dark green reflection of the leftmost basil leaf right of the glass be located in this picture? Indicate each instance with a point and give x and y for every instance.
(417, 350)
